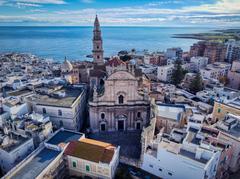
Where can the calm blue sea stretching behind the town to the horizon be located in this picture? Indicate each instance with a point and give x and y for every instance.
(75, 43)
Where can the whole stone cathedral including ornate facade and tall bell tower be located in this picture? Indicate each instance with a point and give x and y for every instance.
(122, 104)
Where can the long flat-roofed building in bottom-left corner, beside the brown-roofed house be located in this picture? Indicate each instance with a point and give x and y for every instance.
(46, 161)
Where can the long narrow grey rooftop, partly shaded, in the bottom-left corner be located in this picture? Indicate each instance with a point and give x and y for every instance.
(34, 167)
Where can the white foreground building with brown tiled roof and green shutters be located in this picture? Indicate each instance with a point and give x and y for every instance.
(92, 158)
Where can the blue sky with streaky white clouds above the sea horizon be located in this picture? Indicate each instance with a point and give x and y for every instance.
(222, 13)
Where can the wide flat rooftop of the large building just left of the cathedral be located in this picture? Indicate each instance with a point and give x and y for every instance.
(71, 94)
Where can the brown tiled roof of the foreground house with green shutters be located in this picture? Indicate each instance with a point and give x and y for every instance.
(91, 150)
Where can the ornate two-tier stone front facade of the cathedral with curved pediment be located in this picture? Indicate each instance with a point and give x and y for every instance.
(119, 106)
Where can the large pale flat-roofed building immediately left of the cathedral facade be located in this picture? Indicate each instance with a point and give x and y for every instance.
(64, 106)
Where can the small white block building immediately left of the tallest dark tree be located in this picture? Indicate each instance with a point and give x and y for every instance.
(164, 73)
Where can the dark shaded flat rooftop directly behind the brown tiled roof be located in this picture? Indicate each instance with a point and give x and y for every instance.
(64, 136)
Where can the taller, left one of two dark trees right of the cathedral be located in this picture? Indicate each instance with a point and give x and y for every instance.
(178, 73)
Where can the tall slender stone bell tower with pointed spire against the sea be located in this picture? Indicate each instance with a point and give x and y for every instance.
(97, 43)
